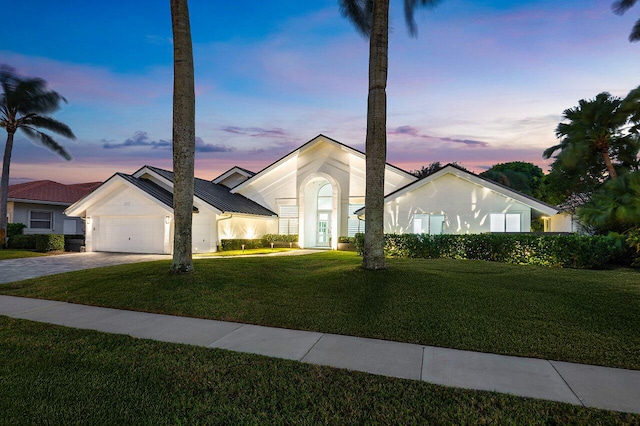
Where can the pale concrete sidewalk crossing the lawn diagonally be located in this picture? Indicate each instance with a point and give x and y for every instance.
(591, 386)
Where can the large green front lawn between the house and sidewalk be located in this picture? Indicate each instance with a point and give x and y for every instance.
(571, 315)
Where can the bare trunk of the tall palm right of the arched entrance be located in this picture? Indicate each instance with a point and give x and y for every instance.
(376, 143)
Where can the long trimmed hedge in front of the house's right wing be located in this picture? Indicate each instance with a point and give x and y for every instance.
(566, 251)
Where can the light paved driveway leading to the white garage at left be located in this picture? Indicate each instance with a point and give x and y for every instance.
(34, 267)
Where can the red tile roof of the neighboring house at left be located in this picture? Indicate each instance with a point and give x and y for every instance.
(48, 190)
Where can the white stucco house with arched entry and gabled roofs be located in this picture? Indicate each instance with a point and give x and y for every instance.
(317, 191)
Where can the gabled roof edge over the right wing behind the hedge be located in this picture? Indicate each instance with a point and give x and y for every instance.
(473, 178)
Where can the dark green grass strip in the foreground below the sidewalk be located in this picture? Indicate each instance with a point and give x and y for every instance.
(58, 375)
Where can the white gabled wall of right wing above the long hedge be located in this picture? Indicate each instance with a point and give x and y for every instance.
(465, 205)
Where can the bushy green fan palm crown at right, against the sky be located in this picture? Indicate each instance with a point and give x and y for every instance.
(592, 134)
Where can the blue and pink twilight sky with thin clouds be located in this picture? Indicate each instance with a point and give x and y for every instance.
(484, 82)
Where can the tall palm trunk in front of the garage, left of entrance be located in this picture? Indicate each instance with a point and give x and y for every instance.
(184, 136)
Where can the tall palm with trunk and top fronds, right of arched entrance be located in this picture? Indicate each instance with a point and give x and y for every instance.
(371, 18)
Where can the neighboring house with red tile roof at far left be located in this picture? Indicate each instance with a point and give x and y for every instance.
(40, 205)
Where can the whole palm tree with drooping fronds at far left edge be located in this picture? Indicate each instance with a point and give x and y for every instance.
(25, 105)
